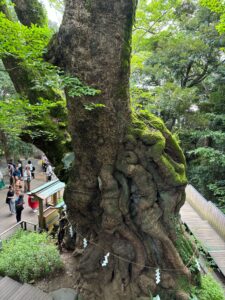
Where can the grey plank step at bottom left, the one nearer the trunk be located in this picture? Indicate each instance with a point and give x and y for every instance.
(28, 292)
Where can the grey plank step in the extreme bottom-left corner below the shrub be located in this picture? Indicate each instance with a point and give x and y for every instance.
(8, 287)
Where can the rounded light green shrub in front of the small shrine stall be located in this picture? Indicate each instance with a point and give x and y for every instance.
(27, 256)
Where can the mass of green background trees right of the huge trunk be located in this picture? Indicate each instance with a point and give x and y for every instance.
(178, 68)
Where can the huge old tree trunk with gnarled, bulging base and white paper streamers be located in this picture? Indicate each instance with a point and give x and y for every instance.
(127, 183)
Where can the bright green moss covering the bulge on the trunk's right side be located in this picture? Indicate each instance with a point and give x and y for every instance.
(164, 149)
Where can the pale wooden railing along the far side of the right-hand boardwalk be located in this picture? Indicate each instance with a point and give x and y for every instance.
(206, 209)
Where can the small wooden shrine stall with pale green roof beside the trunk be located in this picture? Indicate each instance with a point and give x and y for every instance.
(49, 195)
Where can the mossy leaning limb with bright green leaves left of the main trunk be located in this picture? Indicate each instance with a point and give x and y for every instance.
(33, 80)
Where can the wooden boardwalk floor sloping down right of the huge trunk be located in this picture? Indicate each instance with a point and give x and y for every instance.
(204, 232)
